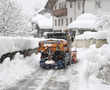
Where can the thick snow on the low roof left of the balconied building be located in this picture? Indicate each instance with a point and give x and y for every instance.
(43, 22)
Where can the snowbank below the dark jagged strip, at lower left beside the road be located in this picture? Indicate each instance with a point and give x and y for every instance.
(16, 70)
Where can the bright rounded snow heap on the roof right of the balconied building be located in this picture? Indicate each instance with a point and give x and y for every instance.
(84, 21)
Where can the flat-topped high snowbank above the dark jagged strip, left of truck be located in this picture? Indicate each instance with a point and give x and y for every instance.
(9, 44)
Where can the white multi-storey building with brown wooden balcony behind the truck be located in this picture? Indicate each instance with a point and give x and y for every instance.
(65, 11)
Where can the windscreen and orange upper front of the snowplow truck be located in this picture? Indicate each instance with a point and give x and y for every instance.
(55, 41)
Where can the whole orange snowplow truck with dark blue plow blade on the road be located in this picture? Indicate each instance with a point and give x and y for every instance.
(57, 46)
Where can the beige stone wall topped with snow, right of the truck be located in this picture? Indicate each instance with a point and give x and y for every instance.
(87, 43)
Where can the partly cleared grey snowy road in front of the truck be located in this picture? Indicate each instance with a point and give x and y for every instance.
(44, 80)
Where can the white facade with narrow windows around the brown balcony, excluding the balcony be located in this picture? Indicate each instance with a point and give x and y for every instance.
(73, 10)
